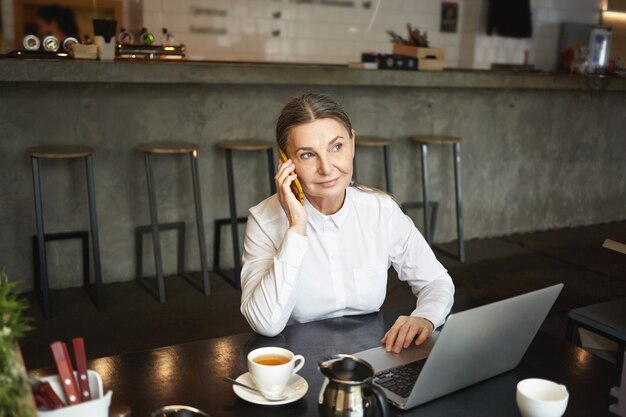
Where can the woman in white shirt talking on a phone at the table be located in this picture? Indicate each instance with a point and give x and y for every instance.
(330, 256)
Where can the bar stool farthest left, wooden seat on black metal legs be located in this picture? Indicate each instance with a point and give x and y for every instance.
(39, 242)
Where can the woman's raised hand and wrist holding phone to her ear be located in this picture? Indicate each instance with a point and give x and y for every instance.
(295, 211)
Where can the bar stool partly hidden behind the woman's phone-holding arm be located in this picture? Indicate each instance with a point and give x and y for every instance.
(244, 145)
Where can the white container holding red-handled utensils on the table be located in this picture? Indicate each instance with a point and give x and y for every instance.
(98, 406)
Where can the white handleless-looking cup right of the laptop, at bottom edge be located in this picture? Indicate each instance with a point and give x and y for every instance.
(541, 398)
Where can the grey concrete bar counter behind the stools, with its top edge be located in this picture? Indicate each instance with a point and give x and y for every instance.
(539, 151)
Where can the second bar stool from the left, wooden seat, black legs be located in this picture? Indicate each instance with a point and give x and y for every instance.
(171, 148)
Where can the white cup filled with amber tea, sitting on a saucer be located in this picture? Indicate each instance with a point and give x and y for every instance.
(271, 368)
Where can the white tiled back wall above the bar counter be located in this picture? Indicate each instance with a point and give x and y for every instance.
(331, 34)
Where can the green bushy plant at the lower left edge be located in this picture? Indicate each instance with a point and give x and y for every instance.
(15, 395)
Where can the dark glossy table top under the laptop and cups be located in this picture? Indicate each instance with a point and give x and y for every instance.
(191, 373)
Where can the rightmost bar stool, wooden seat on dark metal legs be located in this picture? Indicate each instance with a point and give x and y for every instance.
(429, 220)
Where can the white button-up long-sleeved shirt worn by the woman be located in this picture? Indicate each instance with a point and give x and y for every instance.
(340, 267)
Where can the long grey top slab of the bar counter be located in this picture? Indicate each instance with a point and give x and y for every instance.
(290, 74)
